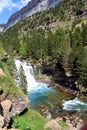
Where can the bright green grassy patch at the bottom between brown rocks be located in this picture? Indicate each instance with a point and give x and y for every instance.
(31, 120)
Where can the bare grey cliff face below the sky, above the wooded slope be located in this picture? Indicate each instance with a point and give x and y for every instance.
(32, 7)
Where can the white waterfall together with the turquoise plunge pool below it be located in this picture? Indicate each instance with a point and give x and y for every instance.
(36, 90)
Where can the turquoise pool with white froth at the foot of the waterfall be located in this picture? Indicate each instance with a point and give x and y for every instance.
(37, 94)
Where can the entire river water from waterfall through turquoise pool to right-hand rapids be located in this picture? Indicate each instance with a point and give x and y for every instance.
(37, 92)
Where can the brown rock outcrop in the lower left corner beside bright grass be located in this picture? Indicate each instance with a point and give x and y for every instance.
(10, 107)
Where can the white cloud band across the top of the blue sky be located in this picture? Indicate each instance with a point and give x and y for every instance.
(9, 4)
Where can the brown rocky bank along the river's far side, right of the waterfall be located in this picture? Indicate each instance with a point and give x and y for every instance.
(62, 87)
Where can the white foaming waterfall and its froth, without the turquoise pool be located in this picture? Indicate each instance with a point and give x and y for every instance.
(32, 84)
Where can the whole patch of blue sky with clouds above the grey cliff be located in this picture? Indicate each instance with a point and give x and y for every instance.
(8, 7)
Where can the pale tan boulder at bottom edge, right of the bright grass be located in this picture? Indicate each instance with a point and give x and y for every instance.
(52, 125)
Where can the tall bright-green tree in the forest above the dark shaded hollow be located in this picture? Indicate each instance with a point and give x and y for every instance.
(59, 47)
